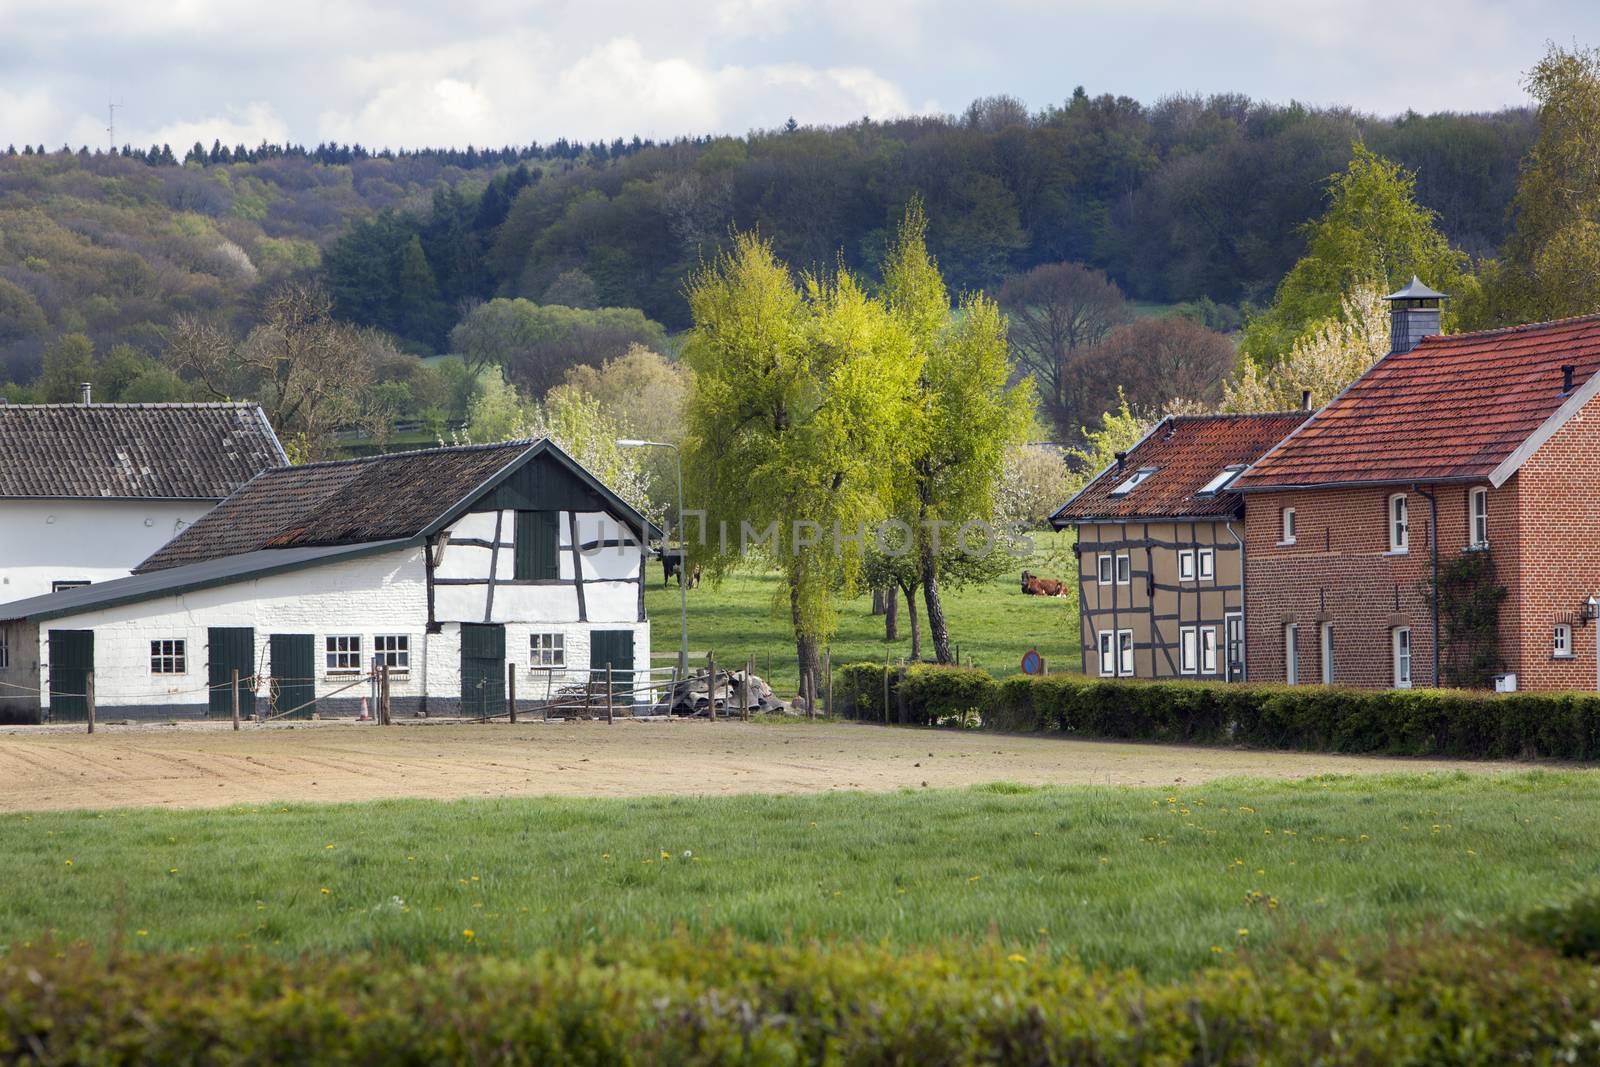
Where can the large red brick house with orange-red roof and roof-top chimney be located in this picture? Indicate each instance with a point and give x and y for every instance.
(1478, 442)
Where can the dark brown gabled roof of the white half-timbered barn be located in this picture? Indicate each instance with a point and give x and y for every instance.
(398, 497)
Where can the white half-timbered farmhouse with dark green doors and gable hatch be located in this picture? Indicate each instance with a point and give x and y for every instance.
(446, 565)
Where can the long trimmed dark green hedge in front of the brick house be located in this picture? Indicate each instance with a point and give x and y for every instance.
(1318, 719)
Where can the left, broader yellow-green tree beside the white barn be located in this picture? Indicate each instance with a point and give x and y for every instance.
(799, 399)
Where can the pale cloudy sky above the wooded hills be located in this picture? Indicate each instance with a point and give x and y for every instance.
(503, 71)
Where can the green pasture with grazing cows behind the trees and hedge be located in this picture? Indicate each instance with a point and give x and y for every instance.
(993, 623)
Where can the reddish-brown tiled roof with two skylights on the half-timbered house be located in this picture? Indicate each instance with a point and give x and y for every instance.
(1186, 454)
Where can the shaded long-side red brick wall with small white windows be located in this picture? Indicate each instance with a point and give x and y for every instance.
(1340, 570)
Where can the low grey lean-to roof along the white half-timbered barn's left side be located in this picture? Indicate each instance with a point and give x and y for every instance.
(182, 580)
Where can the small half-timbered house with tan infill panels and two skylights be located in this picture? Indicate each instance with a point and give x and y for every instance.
(1161, 549)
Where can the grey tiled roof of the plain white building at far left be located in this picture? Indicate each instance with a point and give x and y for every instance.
(178, 452)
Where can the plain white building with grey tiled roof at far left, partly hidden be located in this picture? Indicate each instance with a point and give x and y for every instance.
(87, 492)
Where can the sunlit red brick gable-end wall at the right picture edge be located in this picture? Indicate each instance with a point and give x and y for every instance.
(1559, 567)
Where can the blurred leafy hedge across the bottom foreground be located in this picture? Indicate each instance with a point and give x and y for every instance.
(1430, 1002)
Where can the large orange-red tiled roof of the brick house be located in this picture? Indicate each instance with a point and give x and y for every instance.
(1454, 409)
